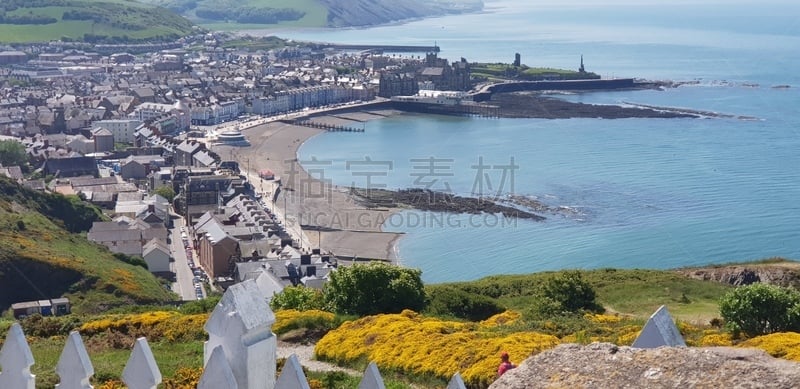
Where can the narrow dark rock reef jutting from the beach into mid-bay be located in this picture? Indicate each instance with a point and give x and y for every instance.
(432, 201)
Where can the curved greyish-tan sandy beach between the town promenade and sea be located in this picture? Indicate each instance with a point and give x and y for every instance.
(330, 217)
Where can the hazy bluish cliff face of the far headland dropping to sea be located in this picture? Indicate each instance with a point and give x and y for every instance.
(373, 12)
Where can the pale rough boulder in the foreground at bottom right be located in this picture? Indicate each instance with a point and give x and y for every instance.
(604, 365)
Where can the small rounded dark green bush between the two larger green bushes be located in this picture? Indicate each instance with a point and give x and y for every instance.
(571, 292)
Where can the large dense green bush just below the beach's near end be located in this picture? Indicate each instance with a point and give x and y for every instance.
(376, 287)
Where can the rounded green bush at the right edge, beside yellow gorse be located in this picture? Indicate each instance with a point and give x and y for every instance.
(759, 309)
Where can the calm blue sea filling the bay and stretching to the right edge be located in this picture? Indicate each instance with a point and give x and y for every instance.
(630, 193)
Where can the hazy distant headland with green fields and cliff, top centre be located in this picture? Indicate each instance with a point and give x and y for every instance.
(232, 14)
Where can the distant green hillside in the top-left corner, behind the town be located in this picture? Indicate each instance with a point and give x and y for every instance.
(102, 21)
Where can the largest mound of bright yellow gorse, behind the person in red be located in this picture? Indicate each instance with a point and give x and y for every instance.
(419, 345)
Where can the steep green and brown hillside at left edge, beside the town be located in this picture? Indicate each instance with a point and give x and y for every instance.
(44, 254)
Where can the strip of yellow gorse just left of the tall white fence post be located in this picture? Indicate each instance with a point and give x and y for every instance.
(155, 325)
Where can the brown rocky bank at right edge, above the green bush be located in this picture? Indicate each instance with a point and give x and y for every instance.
(776, 272)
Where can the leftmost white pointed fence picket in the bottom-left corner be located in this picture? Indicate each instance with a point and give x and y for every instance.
(16, 360)
